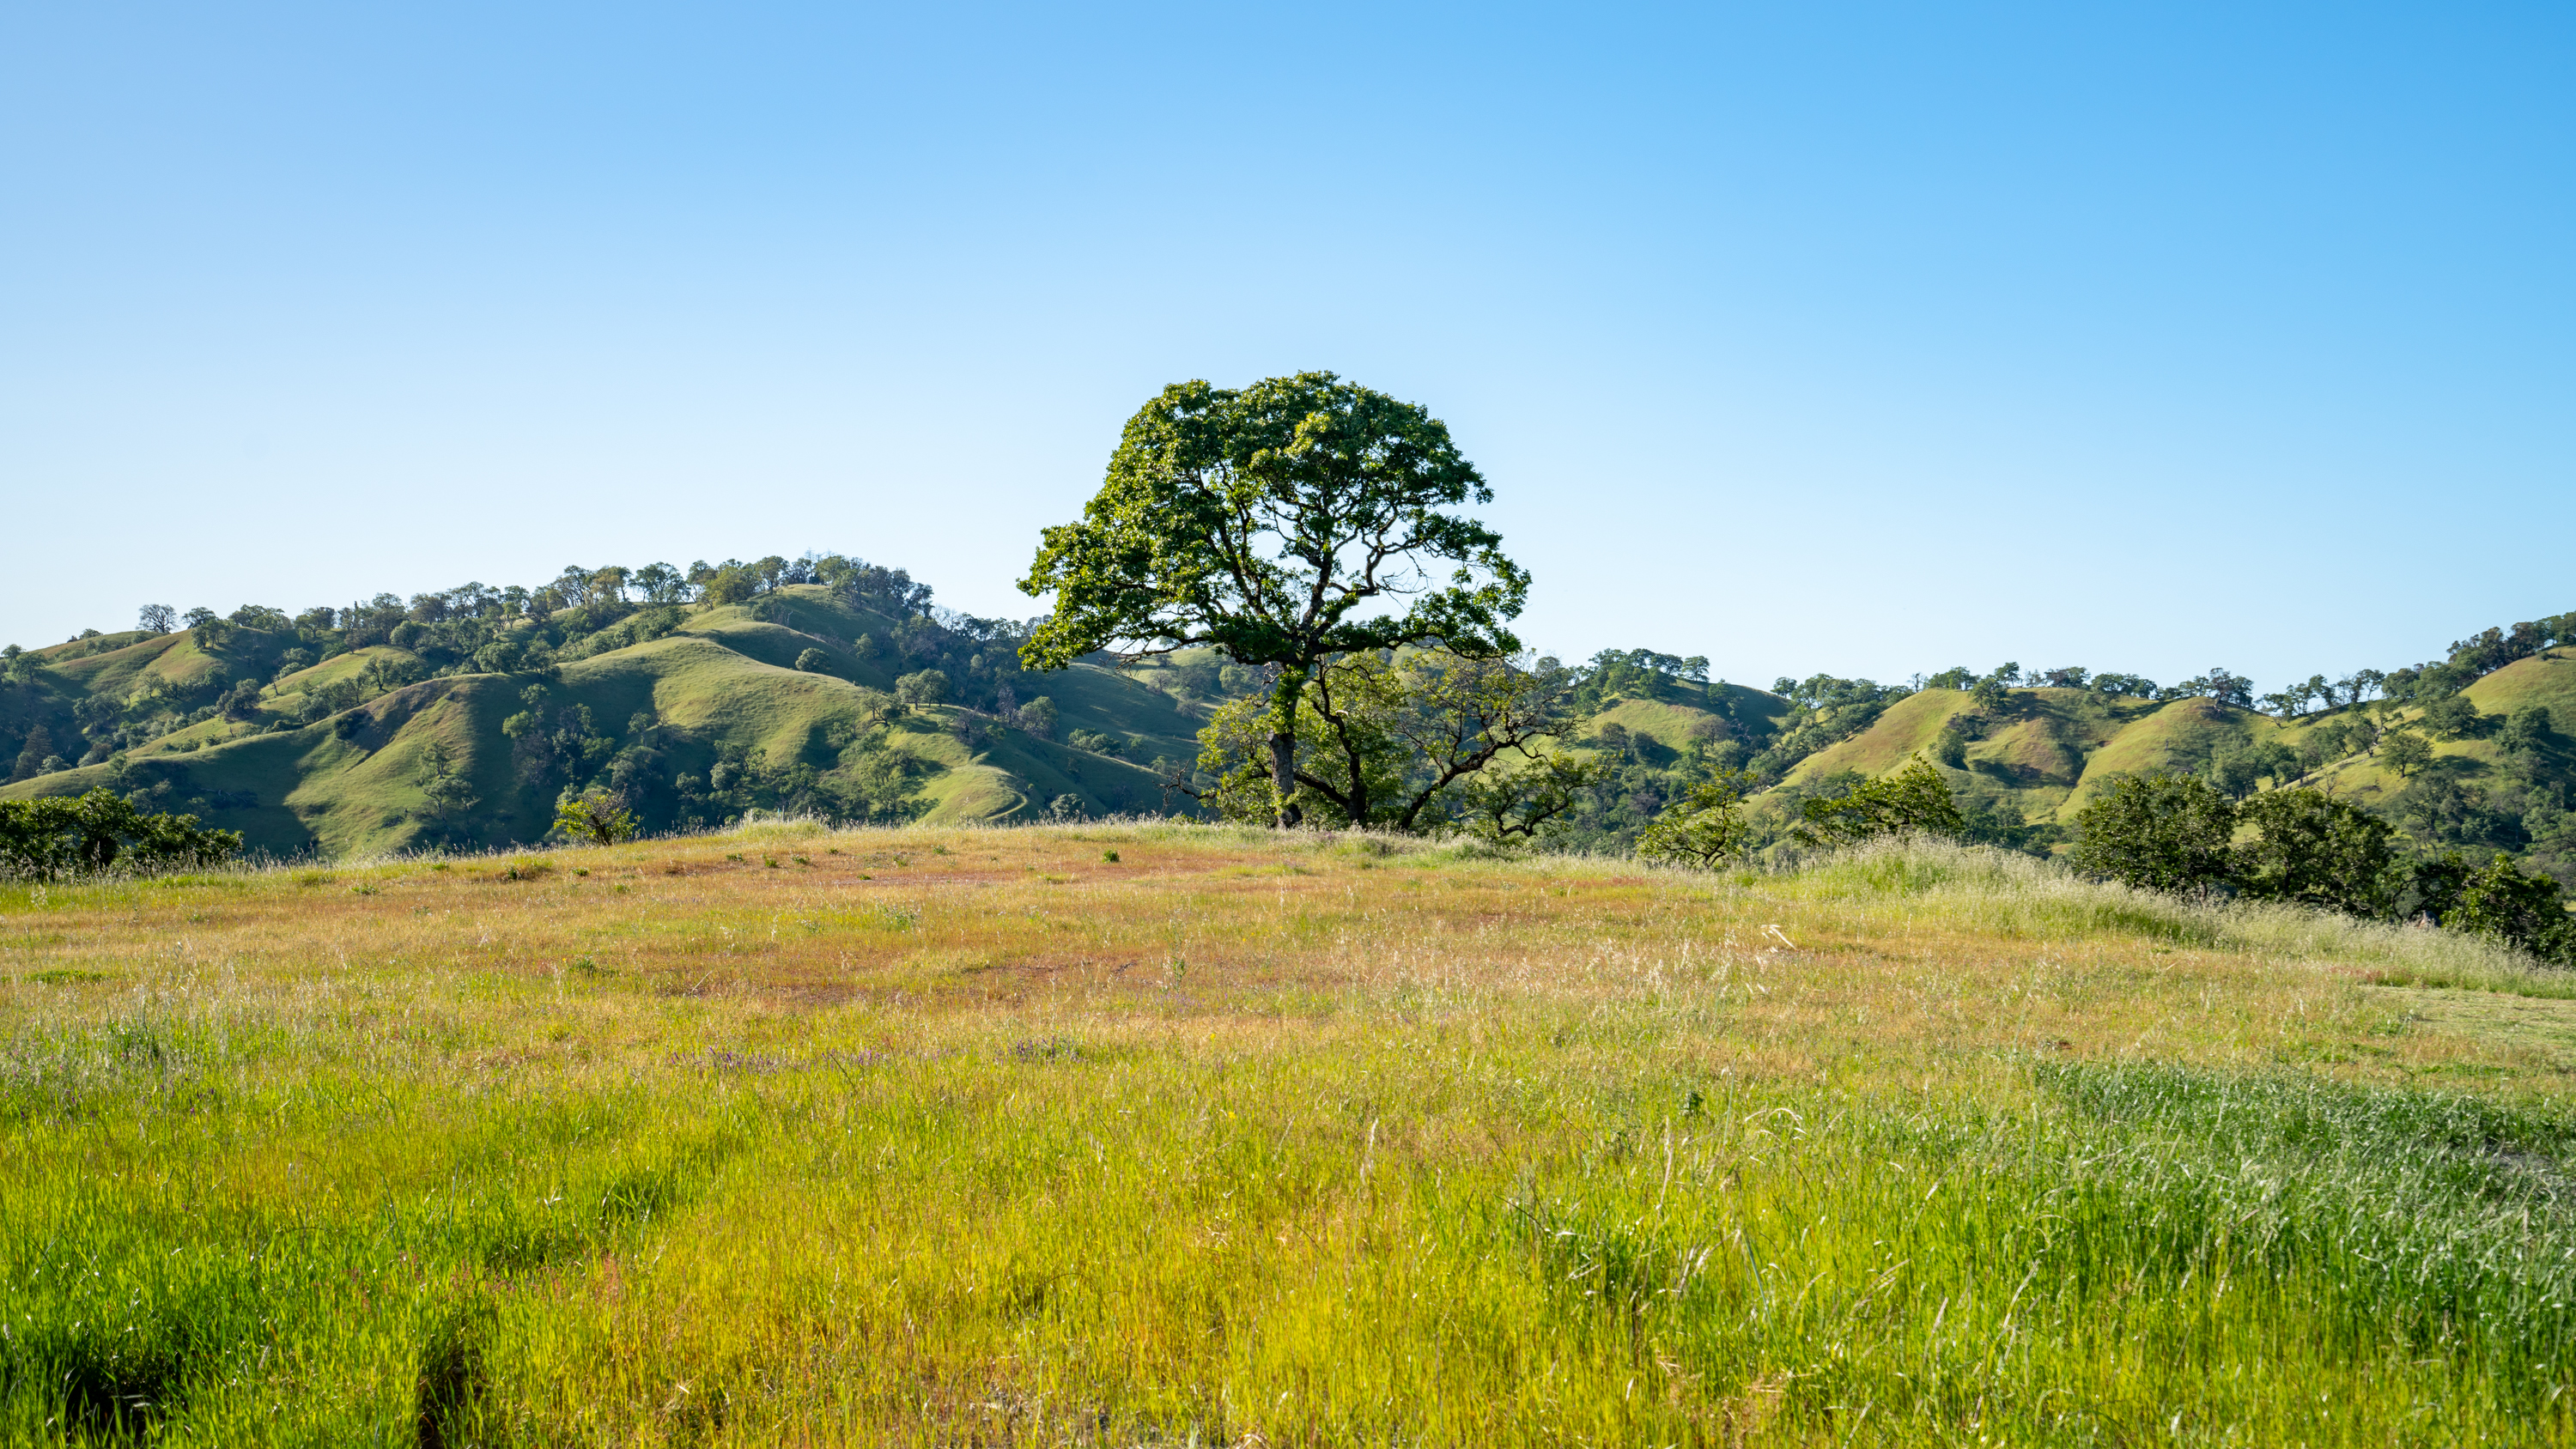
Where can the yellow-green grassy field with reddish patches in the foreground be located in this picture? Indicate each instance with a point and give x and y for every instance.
(1197, 1136)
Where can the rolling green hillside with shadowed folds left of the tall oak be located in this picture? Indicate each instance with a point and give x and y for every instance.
(694, 714)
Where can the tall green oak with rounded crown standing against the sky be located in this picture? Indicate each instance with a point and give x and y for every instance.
(1266, 524)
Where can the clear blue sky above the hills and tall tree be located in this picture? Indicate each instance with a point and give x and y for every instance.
(1804, 336)
